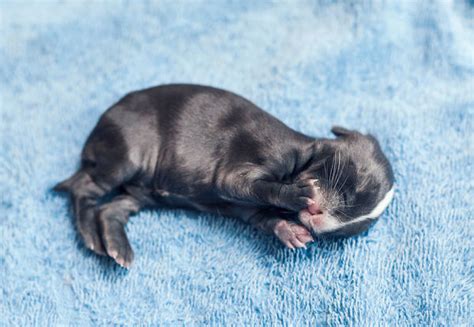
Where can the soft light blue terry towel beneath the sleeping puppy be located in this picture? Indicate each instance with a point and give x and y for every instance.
(401, 70)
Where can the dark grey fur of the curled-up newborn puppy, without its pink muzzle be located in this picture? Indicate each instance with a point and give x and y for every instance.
(208, 149)
